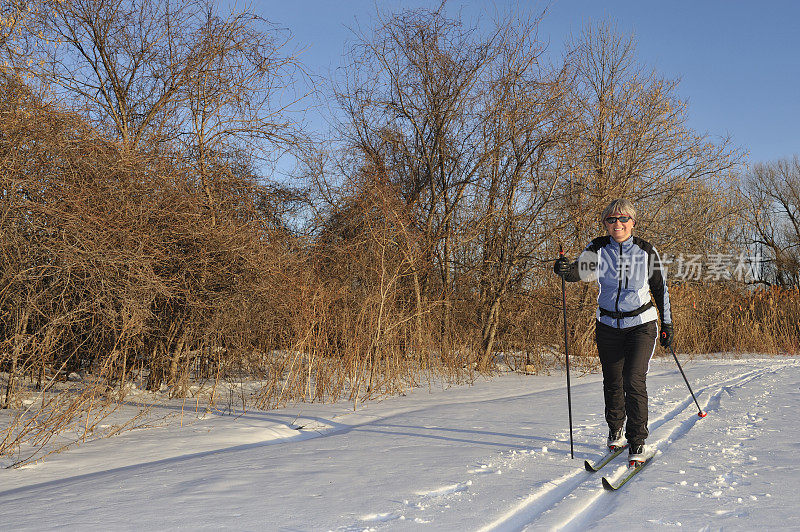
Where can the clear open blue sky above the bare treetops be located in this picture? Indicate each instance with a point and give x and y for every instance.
(738, 61)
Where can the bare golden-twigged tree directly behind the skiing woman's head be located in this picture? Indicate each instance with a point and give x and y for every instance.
(632, 139)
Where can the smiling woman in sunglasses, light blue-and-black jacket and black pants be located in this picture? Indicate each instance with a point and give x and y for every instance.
(629, 273)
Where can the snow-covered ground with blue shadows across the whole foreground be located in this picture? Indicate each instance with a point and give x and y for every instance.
(491, 456)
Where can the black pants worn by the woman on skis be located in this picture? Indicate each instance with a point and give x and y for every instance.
(625, 357)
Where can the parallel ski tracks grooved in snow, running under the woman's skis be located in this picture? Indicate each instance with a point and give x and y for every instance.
(576, 500)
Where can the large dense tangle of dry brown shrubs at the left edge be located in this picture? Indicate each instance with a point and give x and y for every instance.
(111, 266)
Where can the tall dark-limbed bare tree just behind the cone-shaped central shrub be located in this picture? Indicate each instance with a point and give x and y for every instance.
(411, 99)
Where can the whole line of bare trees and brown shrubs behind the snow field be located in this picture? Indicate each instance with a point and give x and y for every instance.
(145, 239)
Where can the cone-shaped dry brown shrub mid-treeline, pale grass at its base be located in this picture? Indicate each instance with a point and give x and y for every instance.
(360, 320)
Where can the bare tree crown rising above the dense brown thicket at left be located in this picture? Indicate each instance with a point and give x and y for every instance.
(155, 71)
